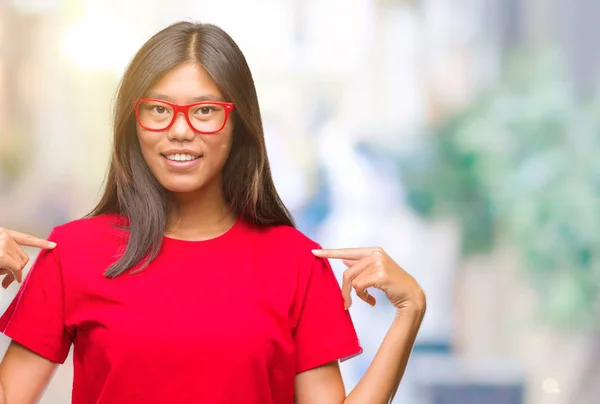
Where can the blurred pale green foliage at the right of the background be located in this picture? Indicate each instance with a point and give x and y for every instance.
(522, 163)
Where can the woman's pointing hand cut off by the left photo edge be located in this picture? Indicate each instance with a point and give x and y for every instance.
(12, 257)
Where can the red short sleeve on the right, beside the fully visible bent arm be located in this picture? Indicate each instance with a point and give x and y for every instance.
(324, 331)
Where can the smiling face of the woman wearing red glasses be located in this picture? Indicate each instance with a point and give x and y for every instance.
(182, 159)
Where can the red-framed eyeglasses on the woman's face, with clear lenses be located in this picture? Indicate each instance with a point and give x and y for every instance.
(207, 117)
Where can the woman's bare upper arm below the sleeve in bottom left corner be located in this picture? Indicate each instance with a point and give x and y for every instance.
(24, 375)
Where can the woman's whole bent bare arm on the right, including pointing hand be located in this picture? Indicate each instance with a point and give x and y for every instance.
(370, 267)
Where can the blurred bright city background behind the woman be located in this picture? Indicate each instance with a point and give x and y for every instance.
(460, 135)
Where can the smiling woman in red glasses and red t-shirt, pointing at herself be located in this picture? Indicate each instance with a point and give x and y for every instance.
(188, 283)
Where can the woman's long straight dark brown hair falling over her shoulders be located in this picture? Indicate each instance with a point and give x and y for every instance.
(132, 191)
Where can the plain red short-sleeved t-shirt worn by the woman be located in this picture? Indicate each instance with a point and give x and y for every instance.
(228, 320)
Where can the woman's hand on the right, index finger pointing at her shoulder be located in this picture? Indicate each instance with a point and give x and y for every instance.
(373, 267)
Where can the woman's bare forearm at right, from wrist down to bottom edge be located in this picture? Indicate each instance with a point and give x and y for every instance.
(382, 378)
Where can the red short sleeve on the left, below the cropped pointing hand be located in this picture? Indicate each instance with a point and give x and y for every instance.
(35, 317)
